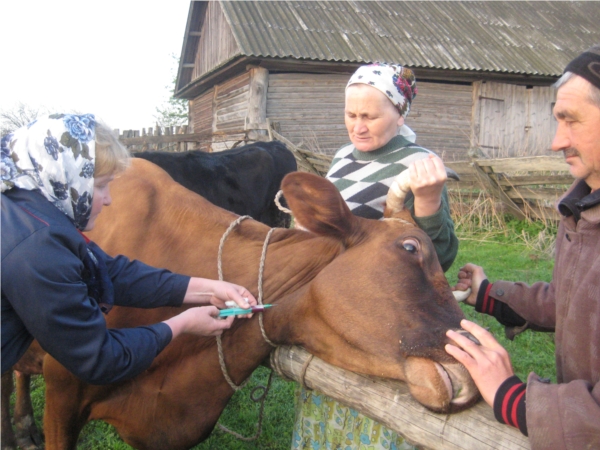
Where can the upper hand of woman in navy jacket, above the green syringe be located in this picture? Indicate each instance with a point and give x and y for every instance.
(213, 292)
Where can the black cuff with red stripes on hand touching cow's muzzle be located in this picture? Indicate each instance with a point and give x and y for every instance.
(509, 404)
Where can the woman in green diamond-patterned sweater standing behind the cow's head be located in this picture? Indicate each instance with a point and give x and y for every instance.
(378, 99)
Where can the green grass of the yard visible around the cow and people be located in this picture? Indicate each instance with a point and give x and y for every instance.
(508, 250)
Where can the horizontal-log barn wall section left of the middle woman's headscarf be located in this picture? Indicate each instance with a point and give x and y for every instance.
(309, 108)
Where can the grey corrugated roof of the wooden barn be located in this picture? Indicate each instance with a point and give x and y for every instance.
(524, 37)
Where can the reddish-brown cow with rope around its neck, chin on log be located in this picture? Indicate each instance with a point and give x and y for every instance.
(366, 295)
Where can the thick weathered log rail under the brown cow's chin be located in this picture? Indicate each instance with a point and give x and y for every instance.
(390, 403)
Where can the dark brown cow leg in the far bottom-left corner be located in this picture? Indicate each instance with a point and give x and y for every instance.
(27, 434)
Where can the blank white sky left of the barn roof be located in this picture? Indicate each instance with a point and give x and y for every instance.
(110, 58)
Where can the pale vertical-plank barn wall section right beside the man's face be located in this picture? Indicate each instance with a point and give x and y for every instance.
(512, 120)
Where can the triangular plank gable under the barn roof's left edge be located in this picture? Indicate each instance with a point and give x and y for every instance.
(217, 43)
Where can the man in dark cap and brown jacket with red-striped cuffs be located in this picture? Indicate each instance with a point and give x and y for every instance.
(565, 415)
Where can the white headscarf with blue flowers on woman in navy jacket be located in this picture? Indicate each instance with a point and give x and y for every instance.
(55, 155)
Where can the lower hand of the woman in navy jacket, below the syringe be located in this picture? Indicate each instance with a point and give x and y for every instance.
(201, 321)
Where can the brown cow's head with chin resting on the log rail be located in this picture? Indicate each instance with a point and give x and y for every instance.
(383, 306)
